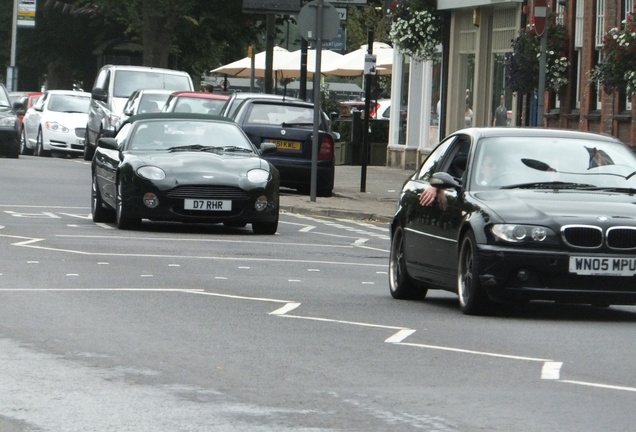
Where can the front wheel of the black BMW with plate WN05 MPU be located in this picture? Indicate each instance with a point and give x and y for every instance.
(473, 300)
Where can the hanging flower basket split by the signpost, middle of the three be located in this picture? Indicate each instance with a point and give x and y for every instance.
(522, 65)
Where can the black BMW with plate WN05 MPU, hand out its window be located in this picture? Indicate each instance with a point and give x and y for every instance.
(520, 214)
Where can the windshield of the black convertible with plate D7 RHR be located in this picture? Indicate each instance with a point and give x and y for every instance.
(188, 135)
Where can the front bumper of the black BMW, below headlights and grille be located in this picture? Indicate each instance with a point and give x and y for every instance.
(545, 275)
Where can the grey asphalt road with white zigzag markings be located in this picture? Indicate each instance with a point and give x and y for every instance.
(205, 328)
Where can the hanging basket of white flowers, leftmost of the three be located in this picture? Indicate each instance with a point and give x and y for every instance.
(416, 28)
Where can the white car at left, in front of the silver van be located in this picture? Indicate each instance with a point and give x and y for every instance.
(56, 124)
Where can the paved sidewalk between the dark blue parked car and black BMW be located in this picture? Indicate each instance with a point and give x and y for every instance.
(382, 186)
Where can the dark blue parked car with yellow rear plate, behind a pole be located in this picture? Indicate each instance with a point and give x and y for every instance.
(289, 125)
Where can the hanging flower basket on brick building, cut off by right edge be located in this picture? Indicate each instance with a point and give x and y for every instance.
(617, 68)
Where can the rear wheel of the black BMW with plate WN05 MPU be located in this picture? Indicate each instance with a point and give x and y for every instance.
(400, 283)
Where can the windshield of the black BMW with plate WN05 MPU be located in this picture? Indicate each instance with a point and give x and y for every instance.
(552, 163)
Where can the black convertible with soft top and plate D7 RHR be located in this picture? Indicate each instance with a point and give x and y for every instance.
(185, 168)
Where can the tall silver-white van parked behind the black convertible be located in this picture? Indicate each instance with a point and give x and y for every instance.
(113, 85)
